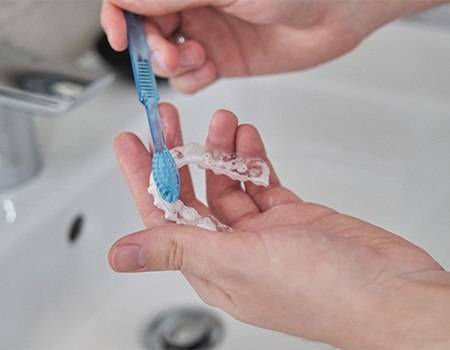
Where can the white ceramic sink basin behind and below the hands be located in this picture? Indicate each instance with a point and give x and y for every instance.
(367, 138)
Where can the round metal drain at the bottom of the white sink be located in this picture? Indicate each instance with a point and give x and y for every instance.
(184, 328)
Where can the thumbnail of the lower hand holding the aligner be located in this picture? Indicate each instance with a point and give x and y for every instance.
(129, 257)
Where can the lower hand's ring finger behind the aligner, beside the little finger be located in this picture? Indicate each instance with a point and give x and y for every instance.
(226, 198)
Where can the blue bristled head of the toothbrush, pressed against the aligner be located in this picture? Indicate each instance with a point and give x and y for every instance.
(165, 173)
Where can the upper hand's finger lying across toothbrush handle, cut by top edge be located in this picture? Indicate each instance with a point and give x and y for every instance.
(161, 8)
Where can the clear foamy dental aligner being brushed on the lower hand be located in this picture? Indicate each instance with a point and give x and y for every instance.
(232, 165)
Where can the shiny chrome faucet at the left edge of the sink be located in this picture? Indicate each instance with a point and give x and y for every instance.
(31, 85)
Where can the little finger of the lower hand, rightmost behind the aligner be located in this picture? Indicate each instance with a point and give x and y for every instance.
(250, 144)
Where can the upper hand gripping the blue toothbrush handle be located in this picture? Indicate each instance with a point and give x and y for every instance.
(228, 38)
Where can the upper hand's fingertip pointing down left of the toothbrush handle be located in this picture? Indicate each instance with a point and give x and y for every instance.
(114, 25)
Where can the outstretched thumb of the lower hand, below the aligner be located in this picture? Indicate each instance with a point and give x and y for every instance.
(170, 247)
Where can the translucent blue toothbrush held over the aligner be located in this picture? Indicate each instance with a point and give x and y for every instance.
(165, 171)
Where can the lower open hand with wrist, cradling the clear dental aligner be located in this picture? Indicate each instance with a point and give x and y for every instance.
(290, 266)
